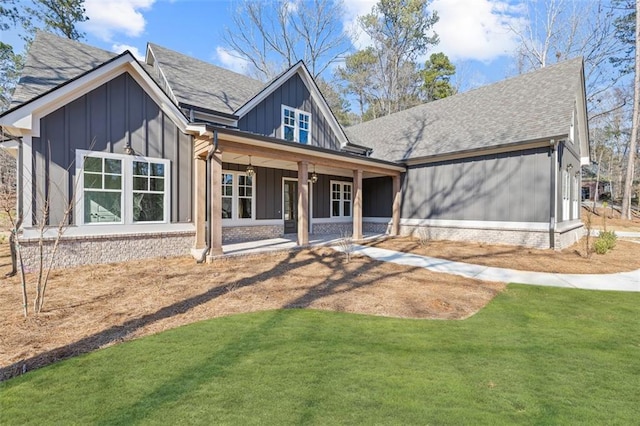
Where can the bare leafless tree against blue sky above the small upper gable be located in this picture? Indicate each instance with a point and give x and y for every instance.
(272, 36)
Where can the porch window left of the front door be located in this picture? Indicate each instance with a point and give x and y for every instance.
(237, 196)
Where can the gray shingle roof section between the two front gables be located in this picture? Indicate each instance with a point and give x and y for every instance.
(202, 84)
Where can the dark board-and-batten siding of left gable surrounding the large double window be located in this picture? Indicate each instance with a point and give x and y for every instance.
(106, 119)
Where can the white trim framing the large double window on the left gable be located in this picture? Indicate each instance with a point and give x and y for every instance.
(127, 187)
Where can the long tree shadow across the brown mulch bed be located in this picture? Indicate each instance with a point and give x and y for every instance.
(337, 280)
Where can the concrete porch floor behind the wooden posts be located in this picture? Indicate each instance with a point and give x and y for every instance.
(287, 242)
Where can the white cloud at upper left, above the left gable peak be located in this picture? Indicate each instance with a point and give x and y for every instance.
(107, 18)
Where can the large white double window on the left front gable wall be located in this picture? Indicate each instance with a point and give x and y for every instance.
(122, 189)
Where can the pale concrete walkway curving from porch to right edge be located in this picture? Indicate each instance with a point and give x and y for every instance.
(625, 281)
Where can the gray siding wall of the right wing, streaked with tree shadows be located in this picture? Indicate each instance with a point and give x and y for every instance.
(507, 187)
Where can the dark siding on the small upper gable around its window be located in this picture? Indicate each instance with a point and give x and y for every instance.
(266, 118)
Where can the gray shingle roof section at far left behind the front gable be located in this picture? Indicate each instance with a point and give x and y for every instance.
(53, 60)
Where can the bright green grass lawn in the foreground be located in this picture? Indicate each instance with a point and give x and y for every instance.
(534, 356)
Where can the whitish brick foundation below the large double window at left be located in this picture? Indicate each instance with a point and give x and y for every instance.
(87, 250)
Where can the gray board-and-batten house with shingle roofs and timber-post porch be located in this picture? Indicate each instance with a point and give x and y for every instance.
(171, 155)
